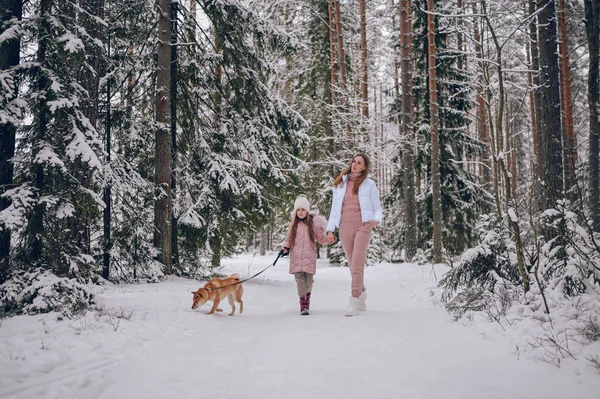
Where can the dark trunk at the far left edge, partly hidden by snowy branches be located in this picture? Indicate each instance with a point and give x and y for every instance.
(9, 58)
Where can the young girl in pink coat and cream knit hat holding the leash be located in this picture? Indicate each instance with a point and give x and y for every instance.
(301, 243)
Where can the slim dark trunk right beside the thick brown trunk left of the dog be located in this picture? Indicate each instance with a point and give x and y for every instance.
(173, 109)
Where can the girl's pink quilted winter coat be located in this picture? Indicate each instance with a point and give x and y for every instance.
(303, 255)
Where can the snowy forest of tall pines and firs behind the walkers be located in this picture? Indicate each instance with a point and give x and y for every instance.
(144, 138)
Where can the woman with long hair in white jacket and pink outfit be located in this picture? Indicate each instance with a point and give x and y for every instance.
(355, 210)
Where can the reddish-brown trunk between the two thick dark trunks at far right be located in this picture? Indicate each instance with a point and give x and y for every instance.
(569, 138)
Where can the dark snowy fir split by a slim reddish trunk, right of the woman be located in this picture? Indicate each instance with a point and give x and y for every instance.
(461, 198)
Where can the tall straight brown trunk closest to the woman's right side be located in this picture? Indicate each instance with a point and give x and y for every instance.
(410, 215)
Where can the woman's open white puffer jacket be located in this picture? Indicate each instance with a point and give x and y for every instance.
(368, 198)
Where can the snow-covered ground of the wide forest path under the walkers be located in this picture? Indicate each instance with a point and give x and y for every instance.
(149, 343)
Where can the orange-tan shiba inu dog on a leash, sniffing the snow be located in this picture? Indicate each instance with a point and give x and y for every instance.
(212, 291)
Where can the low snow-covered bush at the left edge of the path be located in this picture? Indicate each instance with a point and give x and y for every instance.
(42, 292)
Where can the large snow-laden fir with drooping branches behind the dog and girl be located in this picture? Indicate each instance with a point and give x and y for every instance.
(243, 134)
